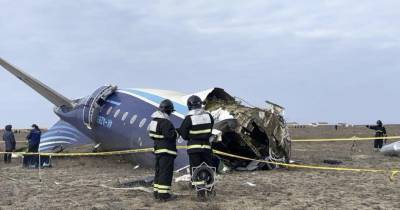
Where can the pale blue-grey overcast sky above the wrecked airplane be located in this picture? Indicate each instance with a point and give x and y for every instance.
(332, 60)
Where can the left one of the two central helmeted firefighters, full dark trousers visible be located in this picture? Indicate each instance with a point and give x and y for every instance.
(164, 134)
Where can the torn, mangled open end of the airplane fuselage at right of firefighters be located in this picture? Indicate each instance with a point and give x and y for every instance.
(252, 132)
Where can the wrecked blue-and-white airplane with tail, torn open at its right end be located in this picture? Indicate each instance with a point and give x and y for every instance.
(117, 119)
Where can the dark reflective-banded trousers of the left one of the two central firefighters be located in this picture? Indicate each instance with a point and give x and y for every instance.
(164, 168)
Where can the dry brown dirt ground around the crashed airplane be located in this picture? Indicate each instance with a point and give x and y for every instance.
(79, 183)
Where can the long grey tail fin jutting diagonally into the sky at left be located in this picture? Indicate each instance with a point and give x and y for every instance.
(47, 92)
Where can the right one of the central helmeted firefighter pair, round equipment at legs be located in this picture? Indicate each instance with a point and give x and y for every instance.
(196, 128)
